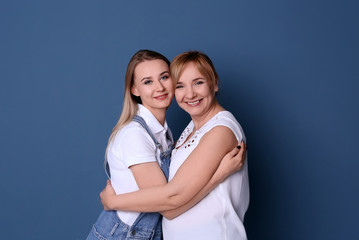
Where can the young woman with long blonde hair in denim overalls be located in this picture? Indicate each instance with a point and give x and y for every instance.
(140, 147)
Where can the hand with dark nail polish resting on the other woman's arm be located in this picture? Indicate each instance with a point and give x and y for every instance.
(231, 162)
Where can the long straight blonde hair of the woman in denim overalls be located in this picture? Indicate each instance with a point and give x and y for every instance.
(130, 101)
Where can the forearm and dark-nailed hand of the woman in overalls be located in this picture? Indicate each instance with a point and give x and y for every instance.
(232, 162)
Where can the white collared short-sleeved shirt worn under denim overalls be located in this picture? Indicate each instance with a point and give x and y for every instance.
(133, 145)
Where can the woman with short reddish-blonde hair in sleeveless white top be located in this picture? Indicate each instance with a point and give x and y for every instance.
(212, 132)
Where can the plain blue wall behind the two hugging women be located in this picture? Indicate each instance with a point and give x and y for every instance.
(289, 71)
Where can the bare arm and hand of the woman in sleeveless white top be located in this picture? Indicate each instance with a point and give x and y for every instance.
(190, 178)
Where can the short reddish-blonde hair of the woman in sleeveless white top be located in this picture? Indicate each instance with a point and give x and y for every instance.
(202, 62)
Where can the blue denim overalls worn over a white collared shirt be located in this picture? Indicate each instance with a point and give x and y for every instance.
(147, 225)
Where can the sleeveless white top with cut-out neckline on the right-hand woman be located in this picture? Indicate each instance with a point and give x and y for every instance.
(220, 214)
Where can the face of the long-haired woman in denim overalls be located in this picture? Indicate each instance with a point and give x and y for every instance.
(152, 83)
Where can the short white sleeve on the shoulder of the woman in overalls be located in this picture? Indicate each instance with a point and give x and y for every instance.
(135, 146)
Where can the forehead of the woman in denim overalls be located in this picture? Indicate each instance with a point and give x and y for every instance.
(150, 68)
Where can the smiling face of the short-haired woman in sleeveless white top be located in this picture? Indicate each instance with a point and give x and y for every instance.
(194, 93)
